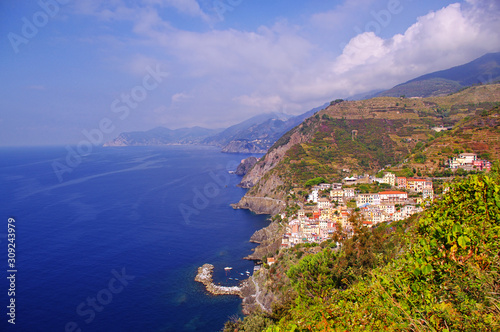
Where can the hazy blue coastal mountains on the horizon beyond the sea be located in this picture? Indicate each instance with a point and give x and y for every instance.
(255, 135)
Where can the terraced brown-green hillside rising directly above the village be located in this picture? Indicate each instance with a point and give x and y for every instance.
(358, 137)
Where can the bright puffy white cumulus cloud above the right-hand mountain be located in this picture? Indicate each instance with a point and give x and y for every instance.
(438, 40)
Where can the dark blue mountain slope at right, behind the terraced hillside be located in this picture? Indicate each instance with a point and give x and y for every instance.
(483, 70)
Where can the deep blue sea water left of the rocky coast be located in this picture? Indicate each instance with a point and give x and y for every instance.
(114, 232)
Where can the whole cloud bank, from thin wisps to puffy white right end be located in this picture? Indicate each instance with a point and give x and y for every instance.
(279, 68)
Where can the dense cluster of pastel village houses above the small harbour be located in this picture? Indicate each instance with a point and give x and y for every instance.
(327, 208)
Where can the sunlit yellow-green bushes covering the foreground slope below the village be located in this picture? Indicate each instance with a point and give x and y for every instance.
(435, 272)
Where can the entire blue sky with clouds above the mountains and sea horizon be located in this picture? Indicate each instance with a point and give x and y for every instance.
(91, 69)
